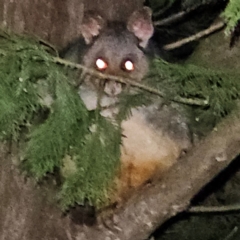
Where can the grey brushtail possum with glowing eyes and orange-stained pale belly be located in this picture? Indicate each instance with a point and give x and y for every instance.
(154, 136)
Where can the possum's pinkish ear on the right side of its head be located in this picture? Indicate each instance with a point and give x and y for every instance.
(140, 23)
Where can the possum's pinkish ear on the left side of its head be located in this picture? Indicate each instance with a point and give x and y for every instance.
(91, 26)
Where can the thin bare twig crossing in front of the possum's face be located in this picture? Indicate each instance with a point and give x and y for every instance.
(197, 102)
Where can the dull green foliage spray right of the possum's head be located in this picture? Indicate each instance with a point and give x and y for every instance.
(219, 89)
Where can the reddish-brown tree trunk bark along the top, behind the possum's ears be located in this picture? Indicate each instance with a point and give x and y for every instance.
(58, 21)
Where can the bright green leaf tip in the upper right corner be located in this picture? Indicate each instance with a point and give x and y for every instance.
(231, 15)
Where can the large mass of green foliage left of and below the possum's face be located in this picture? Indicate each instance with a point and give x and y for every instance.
(41, 109)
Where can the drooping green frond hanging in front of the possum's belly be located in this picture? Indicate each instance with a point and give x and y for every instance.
(92, 179)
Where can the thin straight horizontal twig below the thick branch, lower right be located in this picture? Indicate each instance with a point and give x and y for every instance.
(217, 209)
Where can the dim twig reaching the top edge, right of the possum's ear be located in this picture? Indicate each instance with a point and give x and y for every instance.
(178, 16)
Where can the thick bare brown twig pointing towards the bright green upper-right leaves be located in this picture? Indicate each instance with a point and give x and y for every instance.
(213, 28)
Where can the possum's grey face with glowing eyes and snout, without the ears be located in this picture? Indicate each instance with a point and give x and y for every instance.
(116, 52)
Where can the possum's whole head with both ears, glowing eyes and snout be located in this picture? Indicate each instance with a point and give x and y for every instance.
(116, 48)
